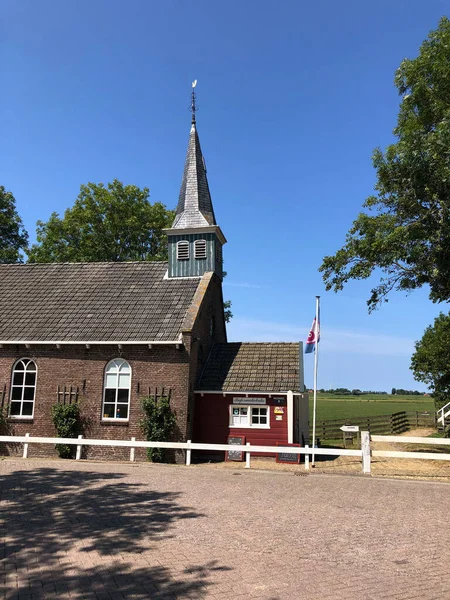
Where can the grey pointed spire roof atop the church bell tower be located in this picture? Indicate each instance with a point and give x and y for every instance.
(194, 207)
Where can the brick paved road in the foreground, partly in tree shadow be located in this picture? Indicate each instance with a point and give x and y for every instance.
(110, 531)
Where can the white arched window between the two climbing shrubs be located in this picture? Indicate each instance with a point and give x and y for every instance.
(116, 399)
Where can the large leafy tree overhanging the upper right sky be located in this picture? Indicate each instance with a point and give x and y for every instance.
(405, 231)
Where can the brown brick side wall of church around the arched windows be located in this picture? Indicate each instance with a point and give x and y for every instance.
(161, 366)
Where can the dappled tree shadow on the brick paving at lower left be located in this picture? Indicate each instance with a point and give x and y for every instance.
(81, 534)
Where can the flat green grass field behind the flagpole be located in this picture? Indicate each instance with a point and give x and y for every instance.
(330, 407)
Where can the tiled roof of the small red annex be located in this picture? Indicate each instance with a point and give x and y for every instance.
(259, 367)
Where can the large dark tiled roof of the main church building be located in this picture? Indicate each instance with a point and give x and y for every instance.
(128, 301)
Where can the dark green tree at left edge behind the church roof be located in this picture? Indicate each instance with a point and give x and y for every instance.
(13, 237)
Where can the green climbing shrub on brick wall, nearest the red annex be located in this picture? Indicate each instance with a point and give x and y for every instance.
(157, 425)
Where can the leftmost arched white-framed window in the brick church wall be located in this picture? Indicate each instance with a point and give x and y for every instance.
(23, 389)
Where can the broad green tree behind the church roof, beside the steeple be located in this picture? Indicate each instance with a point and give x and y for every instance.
(112, 223)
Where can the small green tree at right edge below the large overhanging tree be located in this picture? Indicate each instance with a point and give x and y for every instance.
(430, 362)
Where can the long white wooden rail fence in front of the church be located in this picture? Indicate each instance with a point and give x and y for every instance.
(364, 453)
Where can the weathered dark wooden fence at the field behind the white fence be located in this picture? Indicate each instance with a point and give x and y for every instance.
(394, 423)
